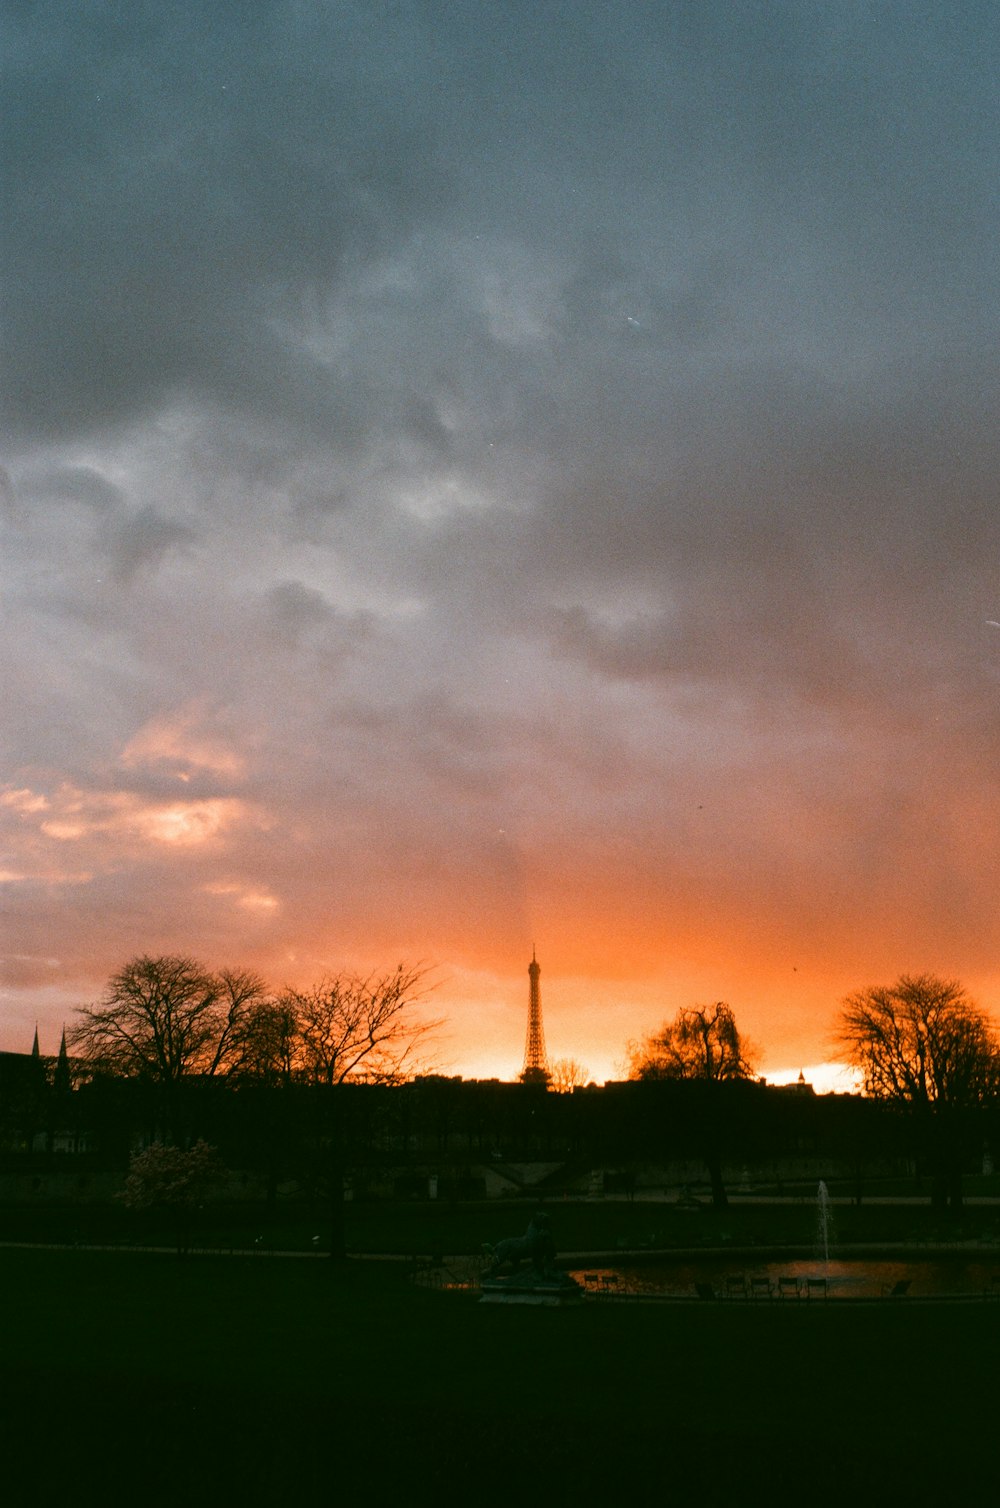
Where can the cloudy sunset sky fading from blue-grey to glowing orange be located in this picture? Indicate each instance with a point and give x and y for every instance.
(502, 476)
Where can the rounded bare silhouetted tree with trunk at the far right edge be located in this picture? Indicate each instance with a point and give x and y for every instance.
(925, 1046)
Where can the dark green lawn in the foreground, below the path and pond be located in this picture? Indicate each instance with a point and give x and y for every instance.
(153, 1381)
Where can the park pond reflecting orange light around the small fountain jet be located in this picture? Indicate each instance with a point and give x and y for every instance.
(808, 1280)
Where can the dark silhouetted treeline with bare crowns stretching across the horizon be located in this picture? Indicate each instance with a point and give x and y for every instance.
(314, 1083)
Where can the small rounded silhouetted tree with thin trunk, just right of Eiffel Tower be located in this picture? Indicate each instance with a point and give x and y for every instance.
(705, 1046)
